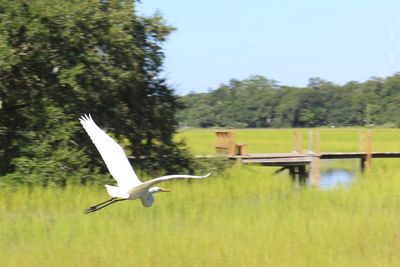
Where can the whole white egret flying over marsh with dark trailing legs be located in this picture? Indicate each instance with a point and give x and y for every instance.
(129, 187)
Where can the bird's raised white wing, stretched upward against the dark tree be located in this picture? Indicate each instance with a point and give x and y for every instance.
(112, 154)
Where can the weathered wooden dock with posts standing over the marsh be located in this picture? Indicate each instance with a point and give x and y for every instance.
(300, 164)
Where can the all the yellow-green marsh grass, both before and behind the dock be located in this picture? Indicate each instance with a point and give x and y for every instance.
(246, 216)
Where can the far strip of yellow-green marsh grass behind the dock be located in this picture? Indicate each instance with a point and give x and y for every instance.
(281, 140)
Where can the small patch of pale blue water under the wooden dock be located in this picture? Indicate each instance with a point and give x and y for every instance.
(335, 177)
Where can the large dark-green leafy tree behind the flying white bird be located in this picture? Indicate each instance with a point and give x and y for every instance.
(74, 57)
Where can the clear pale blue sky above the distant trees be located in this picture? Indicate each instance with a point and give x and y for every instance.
(286, 40)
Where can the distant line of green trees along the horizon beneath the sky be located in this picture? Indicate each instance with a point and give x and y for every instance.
(261, 102)
